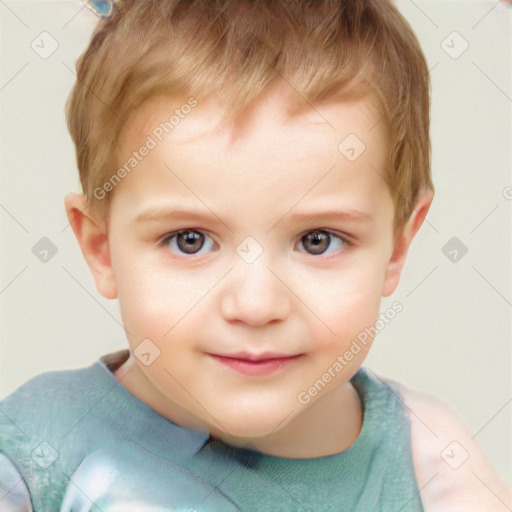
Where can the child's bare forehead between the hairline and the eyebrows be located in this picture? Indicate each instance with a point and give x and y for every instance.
(266, 158)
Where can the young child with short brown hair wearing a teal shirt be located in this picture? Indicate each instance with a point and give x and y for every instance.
(215, 141)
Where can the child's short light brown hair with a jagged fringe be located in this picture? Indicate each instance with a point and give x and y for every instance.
(235, 49)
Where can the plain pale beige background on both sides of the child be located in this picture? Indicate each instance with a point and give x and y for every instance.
(453, 337)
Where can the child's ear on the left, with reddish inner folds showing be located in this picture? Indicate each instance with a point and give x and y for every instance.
(92, 237)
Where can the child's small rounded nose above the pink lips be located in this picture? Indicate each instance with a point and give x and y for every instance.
(254, 295)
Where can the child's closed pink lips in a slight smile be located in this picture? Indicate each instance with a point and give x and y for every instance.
(256, 364)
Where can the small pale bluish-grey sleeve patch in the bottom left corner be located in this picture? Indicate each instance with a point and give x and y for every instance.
(14, 495)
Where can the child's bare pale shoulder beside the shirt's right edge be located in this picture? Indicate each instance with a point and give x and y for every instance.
(451, 470)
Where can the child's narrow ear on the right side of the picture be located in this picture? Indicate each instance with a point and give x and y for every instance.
(403, 242)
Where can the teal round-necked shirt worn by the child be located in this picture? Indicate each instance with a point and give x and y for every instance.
(78, 441)
